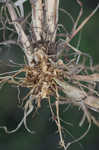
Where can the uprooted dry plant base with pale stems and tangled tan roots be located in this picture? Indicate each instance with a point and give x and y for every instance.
(46, 74)
